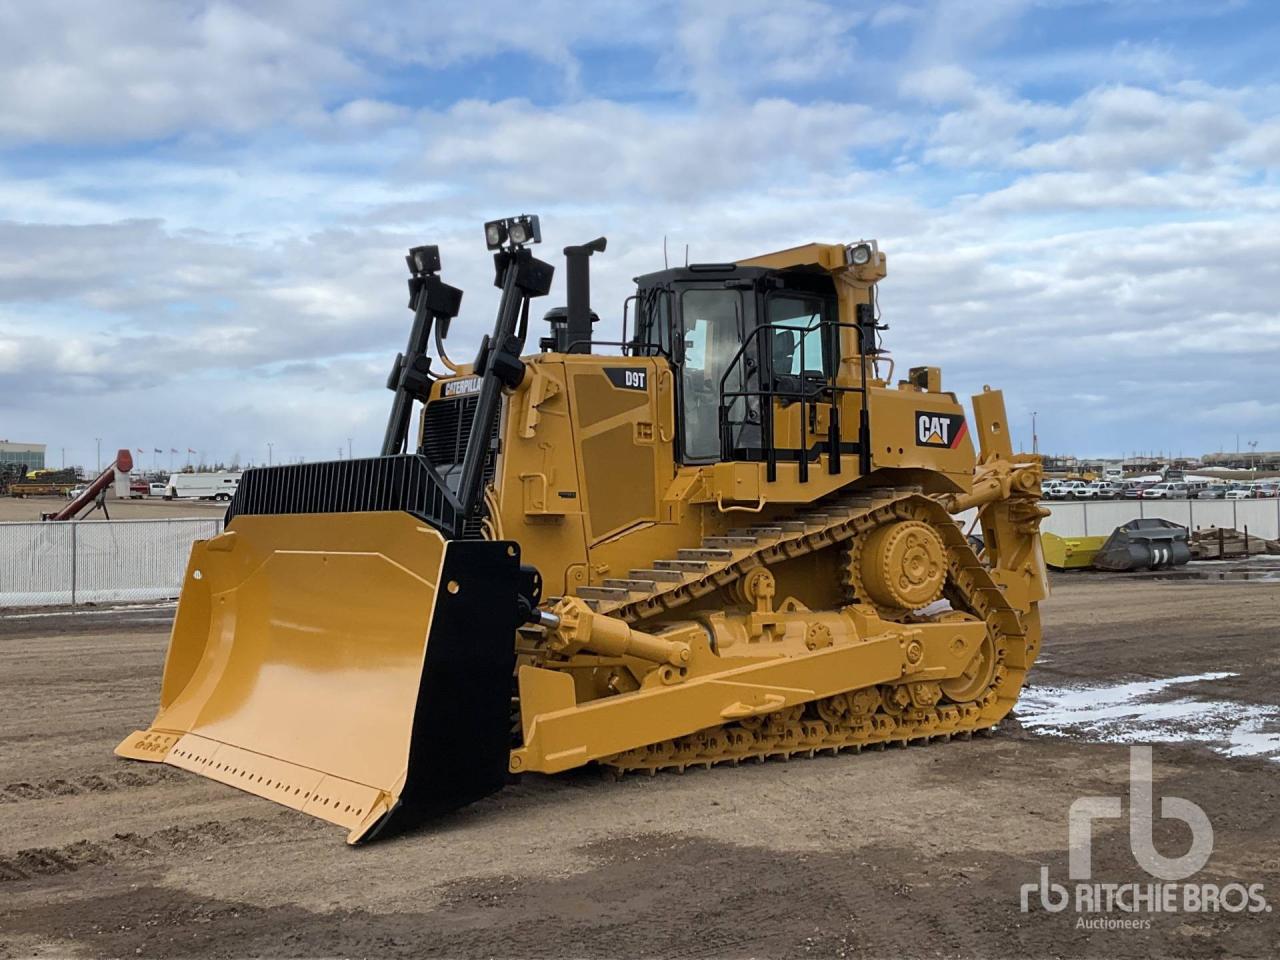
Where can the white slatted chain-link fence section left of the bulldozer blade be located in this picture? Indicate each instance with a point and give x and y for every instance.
(97, 561)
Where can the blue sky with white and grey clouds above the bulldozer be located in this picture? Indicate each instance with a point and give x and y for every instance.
(204, 207)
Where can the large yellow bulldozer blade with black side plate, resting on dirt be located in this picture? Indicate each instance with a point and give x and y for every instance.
(353, 666)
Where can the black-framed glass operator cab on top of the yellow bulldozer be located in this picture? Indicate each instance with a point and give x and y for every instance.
(739, 339)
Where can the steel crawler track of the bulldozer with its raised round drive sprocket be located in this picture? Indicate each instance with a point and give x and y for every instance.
(918, 532)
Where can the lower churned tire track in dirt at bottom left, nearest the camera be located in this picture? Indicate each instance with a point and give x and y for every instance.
(52, 862)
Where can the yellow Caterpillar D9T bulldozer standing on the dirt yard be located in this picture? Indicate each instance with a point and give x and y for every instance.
(730, 538)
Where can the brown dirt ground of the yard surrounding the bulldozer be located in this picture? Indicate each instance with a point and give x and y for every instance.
(917, 852)
